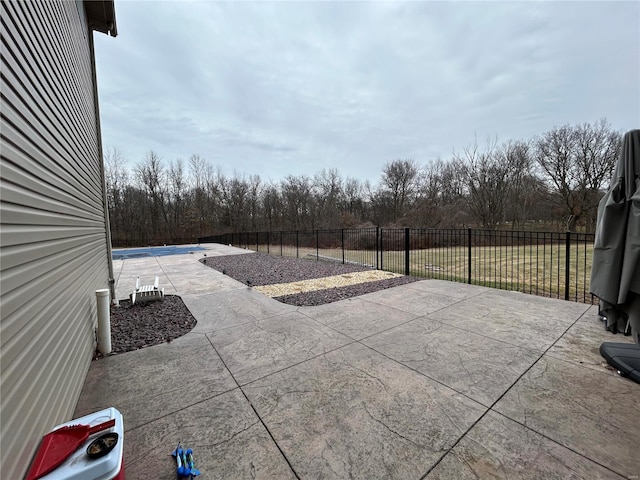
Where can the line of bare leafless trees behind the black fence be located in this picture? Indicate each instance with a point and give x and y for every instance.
(552, 181)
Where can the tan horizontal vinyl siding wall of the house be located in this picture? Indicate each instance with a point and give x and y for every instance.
(53, 247)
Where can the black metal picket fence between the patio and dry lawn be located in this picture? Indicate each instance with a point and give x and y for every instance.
(550, 264)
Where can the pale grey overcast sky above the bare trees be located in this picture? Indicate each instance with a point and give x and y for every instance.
(279, 88)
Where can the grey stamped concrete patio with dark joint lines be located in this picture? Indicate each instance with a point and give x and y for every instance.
(432, 379)
